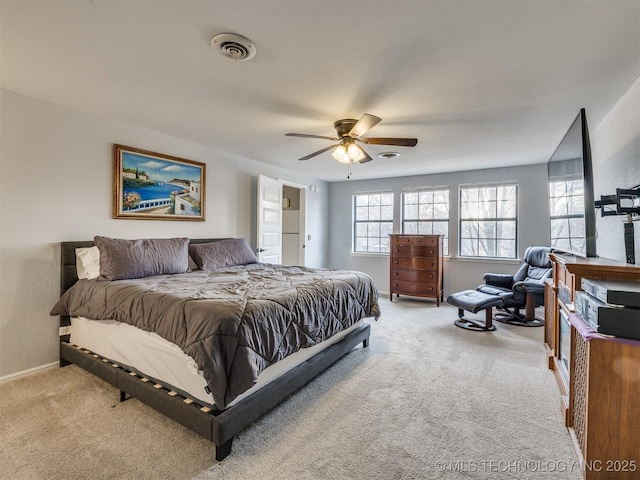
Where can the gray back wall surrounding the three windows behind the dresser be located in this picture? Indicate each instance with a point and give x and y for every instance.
(459, 274)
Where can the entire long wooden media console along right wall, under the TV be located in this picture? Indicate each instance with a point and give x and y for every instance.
(598, 376)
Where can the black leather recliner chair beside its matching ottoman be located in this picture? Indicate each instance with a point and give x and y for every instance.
(525, 289)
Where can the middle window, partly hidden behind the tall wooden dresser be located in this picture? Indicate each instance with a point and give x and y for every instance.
(426, 211)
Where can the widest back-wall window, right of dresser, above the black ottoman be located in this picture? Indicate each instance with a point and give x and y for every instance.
(488, 220)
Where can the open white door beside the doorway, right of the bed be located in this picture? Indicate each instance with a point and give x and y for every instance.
(269, 220)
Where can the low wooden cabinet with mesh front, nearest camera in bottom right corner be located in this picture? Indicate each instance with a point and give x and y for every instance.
(605, 388)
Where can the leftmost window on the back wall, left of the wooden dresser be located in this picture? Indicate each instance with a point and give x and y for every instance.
(373, 222)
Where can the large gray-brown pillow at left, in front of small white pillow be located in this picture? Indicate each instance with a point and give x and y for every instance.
(121, 259)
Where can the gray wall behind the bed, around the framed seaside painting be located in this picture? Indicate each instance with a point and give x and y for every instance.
(56, 185)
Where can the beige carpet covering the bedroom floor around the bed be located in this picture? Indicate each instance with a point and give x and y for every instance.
(425, 400)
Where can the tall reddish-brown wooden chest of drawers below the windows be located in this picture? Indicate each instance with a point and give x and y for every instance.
(416, 266)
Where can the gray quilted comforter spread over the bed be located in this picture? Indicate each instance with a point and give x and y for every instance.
(233, 322)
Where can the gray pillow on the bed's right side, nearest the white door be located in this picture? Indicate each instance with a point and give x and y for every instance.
(224, 253)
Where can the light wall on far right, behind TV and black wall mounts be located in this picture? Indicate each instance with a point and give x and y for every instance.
(615, 148)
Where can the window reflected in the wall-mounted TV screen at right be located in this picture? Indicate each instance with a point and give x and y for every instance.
(566, 198)
